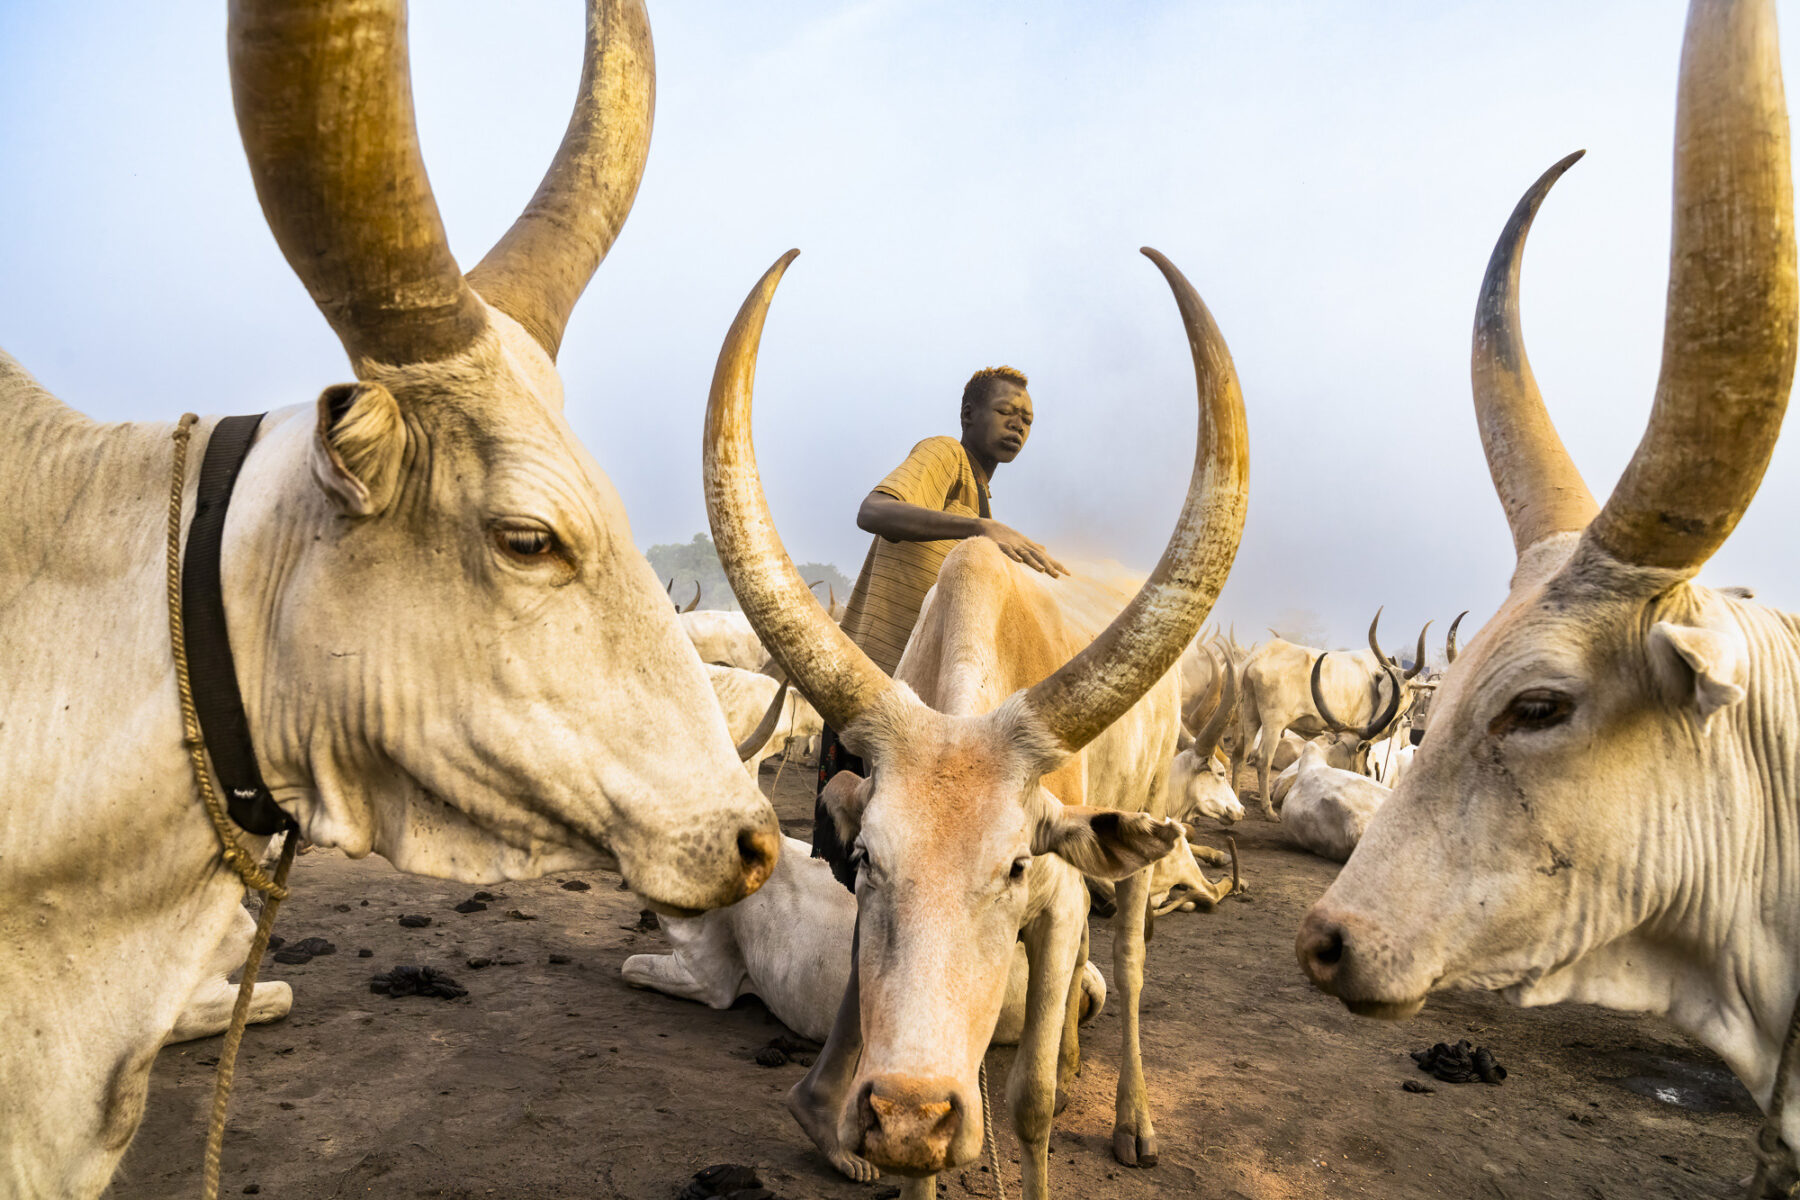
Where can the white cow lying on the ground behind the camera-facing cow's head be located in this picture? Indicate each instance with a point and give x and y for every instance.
(789, 945)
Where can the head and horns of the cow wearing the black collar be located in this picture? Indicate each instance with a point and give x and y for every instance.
(460, 658)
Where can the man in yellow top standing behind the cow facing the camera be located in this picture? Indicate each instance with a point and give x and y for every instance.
(919, 514)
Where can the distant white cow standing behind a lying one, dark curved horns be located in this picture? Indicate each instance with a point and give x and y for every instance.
(1365, 688)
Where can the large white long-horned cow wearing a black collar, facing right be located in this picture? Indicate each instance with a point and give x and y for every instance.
(449, 650)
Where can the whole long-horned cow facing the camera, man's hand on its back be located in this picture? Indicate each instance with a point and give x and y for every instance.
(975, 823)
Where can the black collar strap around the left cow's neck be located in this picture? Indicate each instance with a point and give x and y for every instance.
(224, 724)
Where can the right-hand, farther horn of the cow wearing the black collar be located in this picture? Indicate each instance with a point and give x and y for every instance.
(543, 264)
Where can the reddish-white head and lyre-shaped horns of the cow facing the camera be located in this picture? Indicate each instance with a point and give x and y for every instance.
(953, 830)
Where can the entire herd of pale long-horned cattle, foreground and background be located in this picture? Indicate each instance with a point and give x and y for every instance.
(453, 656)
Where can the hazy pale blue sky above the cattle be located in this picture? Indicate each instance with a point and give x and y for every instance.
(969, 186)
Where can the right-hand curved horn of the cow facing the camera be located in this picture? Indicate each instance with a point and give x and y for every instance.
(1104, 681)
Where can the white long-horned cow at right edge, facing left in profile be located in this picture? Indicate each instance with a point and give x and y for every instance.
(1605, 809)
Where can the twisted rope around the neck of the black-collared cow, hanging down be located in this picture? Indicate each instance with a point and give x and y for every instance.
(237, 857)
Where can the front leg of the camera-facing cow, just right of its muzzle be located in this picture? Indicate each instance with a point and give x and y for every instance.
(1052, 947)
